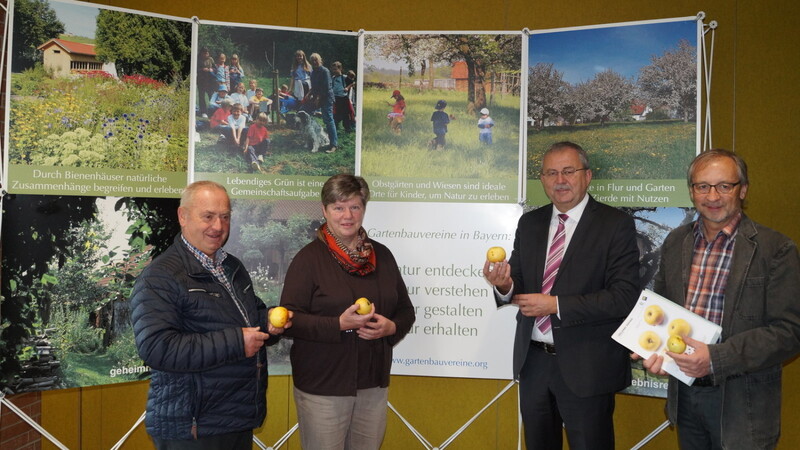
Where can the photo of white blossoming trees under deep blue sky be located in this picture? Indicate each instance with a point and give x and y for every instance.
(627, 94)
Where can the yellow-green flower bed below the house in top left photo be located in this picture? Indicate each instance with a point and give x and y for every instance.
(98, 122)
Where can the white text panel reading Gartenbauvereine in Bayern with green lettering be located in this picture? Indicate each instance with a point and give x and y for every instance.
(459, 331)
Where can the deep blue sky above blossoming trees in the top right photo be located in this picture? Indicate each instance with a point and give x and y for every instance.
(580, 54)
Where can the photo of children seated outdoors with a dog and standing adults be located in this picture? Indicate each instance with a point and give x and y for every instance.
(296, 80)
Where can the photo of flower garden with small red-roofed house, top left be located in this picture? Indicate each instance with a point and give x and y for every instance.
(97, 88)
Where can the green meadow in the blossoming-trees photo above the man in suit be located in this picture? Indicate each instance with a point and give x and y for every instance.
(638, 150)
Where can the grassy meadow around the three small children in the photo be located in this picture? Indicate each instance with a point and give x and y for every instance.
(407, 154)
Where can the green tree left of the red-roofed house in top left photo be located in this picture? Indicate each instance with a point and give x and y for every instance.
(34, 24)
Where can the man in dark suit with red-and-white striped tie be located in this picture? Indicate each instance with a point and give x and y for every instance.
(574, 274)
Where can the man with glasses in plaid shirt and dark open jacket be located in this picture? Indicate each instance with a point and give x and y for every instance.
(746, 278)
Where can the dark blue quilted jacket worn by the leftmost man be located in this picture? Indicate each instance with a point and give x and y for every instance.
(188, 330)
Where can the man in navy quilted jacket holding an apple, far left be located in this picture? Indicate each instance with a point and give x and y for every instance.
(202, 331)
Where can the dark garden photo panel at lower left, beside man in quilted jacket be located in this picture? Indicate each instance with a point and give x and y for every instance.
(69, 263)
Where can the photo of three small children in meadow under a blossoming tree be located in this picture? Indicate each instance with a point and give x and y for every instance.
(409, 78)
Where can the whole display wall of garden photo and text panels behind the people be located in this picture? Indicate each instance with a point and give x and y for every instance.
(107, 123)
